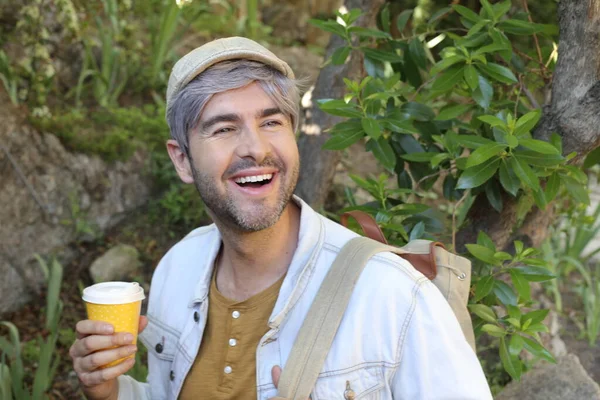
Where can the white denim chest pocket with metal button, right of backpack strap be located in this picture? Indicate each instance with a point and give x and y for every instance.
(350, 384)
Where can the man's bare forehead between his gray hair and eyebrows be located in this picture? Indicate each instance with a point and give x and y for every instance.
(245, 100)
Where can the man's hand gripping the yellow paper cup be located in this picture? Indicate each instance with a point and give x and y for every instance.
(95, 347)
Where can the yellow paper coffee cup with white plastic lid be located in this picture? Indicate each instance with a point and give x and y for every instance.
(118, 303)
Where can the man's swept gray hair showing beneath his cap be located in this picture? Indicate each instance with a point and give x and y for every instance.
(184, 113)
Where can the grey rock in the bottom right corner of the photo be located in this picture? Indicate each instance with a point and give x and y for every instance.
(566, 380)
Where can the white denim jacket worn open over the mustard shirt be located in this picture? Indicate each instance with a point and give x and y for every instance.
(398, 339)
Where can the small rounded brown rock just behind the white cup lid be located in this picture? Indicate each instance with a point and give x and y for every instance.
(116, 264)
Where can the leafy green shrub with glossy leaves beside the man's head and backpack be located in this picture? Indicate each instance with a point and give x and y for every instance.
(447, 106)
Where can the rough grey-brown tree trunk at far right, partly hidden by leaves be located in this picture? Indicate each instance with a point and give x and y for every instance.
(573, 113)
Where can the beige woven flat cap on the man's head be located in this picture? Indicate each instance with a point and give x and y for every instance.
(201, 58)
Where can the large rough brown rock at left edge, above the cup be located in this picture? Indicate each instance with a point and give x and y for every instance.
(50, 197)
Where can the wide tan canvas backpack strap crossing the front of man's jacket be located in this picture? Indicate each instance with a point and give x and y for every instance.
(323, 319)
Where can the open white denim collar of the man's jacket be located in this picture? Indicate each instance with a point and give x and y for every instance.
(310, 240)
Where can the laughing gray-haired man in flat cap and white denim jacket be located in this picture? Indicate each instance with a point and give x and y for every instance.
(227, 302)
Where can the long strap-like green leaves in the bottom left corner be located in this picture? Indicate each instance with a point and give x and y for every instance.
(12, 372)
